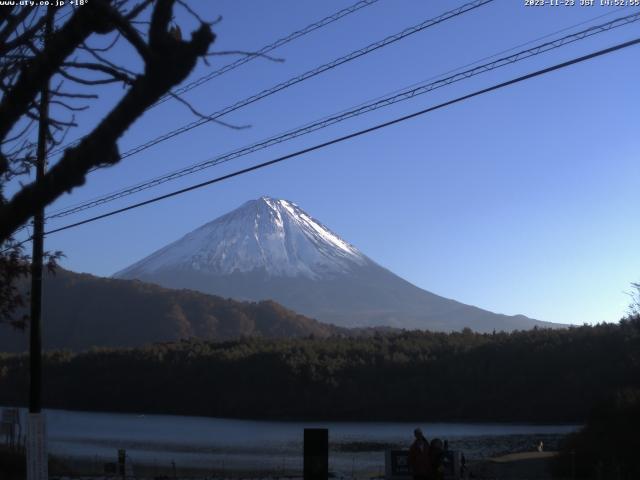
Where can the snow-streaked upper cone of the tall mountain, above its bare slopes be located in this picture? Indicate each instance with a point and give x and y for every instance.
(272, 235)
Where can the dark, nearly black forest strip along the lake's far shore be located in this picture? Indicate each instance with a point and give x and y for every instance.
(536, 376)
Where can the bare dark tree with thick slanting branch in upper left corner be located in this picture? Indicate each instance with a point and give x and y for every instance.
(75, 67)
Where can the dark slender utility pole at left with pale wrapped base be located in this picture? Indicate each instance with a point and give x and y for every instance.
(37, 458)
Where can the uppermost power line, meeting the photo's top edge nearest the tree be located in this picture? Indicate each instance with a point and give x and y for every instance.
(241, 61)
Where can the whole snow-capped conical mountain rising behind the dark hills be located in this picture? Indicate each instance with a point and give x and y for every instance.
(272, 249)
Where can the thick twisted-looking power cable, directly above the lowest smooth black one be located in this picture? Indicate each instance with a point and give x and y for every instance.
(402, 95)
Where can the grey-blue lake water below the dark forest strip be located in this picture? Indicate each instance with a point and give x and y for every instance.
(227, 445)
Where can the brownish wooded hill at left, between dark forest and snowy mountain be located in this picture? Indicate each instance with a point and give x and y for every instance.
(81, 311)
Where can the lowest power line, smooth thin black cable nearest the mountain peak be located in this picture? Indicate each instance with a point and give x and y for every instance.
(298, 153)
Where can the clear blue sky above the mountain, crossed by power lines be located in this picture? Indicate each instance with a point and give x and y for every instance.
(524, 200)
